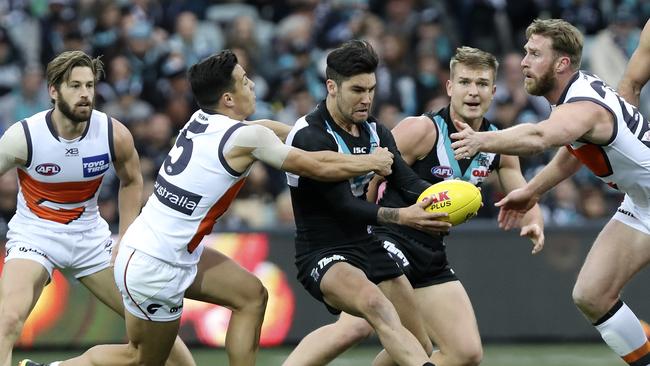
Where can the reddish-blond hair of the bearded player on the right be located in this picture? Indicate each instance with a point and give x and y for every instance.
(565, 38)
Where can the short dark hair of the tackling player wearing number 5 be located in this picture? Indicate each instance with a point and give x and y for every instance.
(211, 77)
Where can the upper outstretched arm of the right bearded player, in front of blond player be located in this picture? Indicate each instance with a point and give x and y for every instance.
(567, 123)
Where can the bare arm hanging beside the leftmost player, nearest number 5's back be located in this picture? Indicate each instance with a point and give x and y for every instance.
(127, 167)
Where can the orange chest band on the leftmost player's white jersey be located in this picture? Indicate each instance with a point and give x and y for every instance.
(36, 192)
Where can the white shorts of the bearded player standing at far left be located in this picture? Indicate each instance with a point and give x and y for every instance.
(79, 253)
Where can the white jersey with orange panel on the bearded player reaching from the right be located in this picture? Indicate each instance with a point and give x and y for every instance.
(624, 161)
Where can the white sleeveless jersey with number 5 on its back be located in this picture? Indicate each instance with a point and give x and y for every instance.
(195, 186)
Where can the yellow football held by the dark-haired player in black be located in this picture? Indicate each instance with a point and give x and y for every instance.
(459, 199)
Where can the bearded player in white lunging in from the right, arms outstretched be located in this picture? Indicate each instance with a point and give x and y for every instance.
(592, 125)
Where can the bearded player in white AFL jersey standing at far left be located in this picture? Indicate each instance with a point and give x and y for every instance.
(61, 156)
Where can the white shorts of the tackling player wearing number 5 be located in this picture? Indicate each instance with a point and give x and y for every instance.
(151, 289)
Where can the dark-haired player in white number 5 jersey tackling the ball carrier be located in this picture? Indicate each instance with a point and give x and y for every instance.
(161, 261)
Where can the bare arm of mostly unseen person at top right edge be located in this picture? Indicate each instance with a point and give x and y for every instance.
(637, 72)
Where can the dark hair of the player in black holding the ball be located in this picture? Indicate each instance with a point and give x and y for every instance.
(352, 58)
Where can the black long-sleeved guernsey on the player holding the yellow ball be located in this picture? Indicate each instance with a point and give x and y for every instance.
(331, 214)
